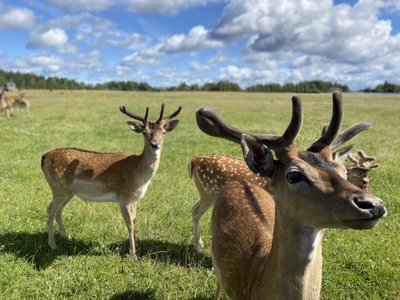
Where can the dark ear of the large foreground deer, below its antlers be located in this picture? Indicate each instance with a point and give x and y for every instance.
(257, 156)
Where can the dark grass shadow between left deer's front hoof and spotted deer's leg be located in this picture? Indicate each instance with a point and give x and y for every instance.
(163, 251)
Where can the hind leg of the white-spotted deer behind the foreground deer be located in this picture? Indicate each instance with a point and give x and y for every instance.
(198, 210)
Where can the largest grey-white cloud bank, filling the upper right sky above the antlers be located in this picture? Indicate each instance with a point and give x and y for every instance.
(351, 34)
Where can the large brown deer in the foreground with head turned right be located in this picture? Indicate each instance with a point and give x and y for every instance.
(268, 244)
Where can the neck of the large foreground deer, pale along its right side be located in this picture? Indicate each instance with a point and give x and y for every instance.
(294, 267)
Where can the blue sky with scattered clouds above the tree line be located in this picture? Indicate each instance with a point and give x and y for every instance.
(170, 42)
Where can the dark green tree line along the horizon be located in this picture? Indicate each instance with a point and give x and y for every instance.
(33, 81)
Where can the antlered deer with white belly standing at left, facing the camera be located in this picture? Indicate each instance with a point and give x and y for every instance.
(117, 177)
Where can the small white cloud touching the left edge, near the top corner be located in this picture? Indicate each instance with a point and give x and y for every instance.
(15, 18)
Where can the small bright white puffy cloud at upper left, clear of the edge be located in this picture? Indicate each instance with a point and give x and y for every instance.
(53, 37)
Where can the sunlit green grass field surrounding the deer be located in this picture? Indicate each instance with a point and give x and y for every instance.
(95, 263)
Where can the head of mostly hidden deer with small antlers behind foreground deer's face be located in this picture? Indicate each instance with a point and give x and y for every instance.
(358, 171)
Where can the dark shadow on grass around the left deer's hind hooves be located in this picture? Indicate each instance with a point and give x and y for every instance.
(33, 247)
